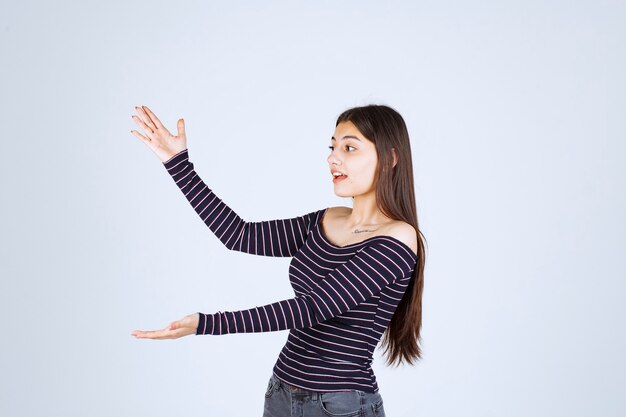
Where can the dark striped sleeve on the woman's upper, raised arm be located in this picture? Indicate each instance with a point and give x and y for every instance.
(283, 237)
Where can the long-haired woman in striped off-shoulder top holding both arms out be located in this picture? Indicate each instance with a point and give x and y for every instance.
(355, 271)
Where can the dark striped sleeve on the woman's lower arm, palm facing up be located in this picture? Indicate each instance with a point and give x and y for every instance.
(365, 274)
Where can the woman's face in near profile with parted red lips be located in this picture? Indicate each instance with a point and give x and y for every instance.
(355, 157)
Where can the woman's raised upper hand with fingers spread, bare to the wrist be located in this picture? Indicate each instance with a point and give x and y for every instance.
(158, 138)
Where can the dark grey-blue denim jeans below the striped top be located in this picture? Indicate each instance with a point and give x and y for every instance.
(284, 400)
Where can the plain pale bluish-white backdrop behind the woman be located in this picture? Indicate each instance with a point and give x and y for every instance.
(516, 111)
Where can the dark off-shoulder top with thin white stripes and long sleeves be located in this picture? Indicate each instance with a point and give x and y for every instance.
(344, 299)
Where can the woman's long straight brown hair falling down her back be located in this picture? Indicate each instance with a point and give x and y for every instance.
(395, 197)
